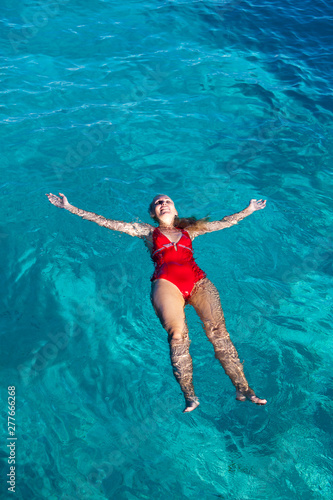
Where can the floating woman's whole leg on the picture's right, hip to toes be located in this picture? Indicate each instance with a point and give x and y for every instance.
(206, 301)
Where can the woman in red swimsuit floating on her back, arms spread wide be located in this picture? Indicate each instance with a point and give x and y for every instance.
(178, 281)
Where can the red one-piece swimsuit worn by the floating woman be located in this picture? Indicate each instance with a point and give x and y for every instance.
(174, 262)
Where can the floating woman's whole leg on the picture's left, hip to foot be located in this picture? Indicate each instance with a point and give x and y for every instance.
(169, 304)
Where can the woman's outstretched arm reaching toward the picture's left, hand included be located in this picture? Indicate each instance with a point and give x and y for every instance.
(133, 229)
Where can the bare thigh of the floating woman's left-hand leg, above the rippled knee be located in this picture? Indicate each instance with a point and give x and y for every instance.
(169, 304)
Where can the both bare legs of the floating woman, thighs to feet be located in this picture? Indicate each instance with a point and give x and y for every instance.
(169, 305)
